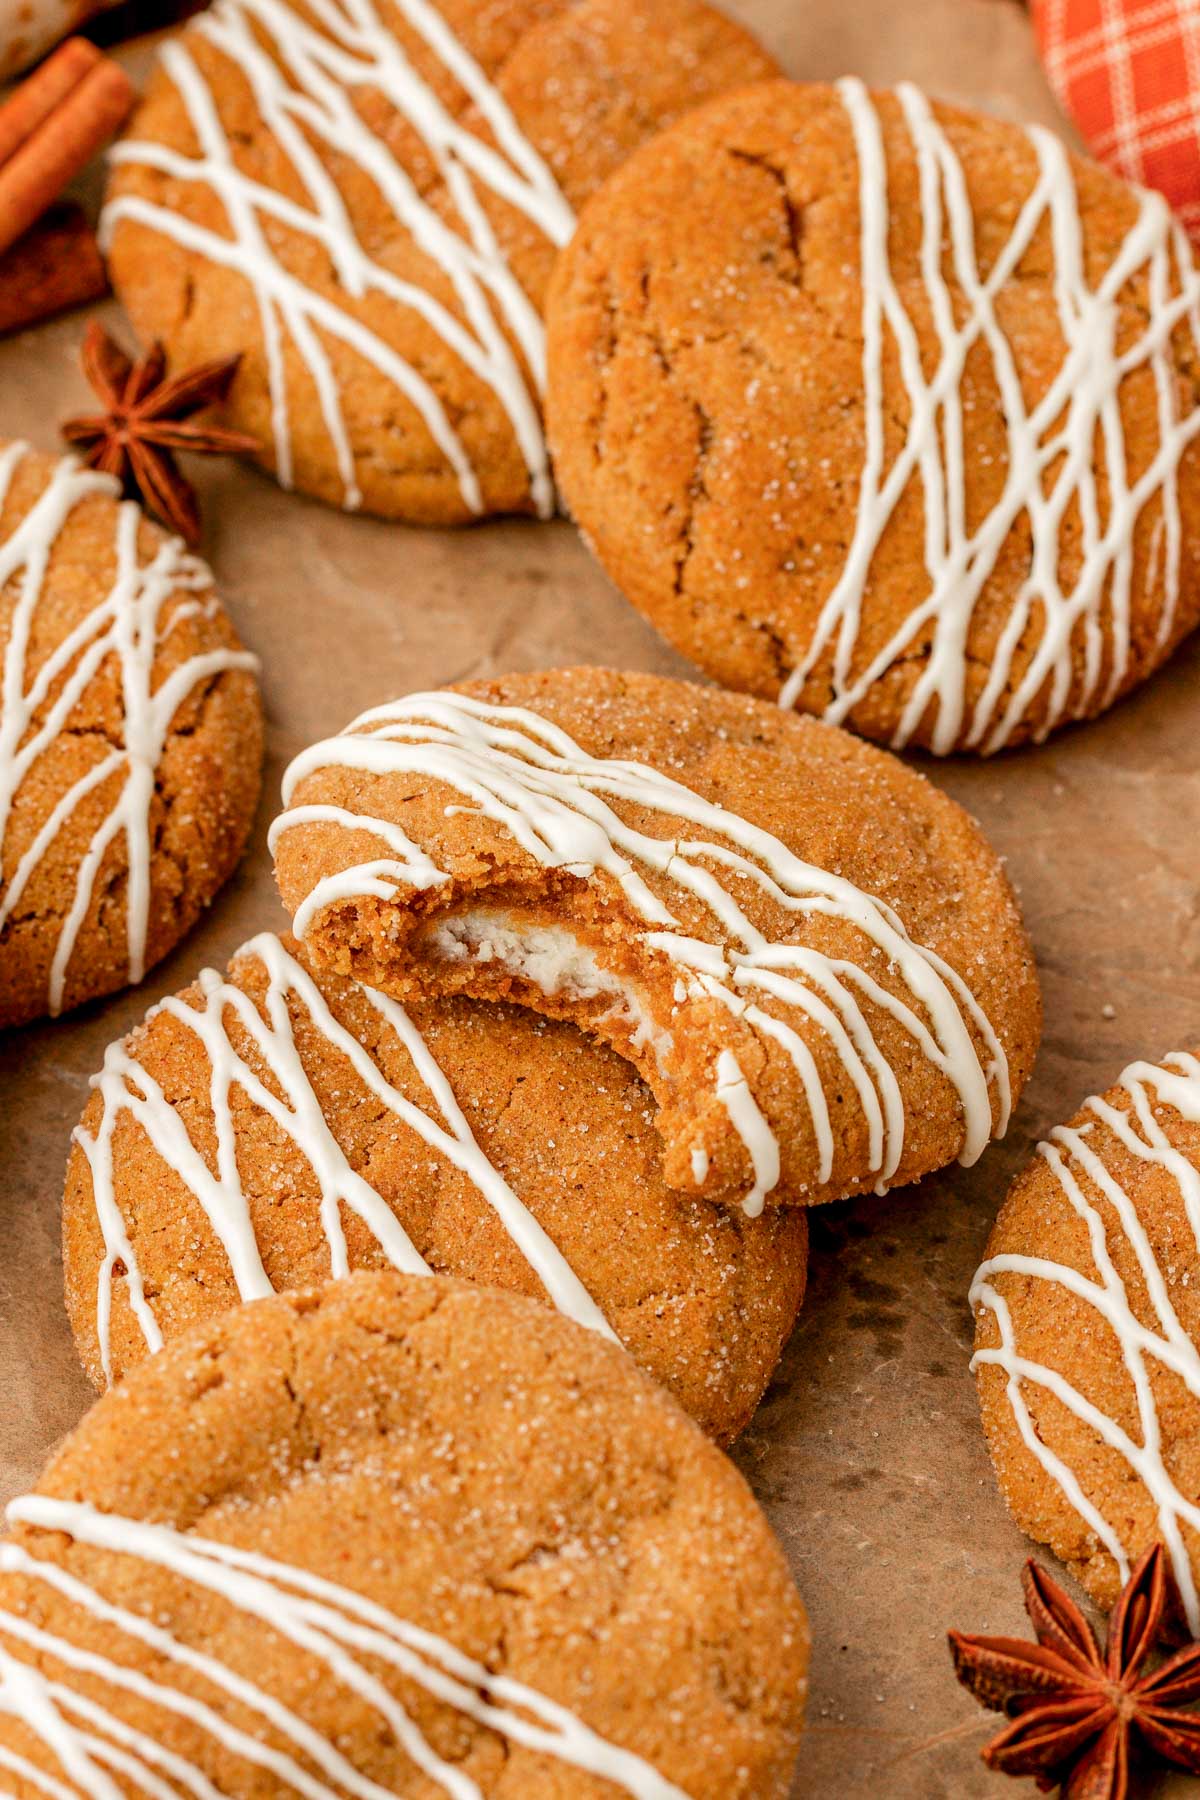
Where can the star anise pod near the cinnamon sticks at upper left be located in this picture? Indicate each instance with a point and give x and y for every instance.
(147, 420)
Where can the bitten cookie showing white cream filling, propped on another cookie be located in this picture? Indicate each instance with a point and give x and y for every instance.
(809, 953)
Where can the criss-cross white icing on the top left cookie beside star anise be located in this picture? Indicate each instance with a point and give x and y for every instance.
(305, 91)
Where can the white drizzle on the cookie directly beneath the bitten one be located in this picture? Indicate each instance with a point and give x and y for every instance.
(271, 1074)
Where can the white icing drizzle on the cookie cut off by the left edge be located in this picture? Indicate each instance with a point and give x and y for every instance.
(130, 624)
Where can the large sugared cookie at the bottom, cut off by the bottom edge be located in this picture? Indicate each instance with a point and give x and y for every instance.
(397, 1536)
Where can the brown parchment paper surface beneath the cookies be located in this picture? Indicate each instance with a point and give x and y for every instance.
(868, 1450)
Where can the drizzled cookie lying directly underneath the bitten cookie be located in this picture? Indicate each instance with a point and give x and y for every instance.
(271, 1129)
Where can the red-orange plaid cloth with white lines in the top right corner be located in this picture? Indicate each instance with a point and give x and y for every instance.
(1129, 75)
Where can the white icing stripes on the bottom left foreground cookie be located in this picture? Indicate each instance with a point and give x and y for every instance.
(334, 1626)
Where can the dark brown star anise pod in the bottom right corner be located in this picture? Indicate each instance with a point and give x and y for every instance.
(1079, 1714)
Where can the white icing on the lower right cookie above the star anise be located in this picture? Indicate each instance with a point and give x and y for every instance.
(1075, 1160)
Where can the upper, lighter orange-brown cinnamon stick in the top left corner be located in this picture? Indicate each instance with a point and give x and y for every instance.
(64, 143)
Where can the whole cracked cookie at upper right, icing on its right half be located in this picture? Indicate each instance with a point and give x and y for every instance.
(888, 411)
